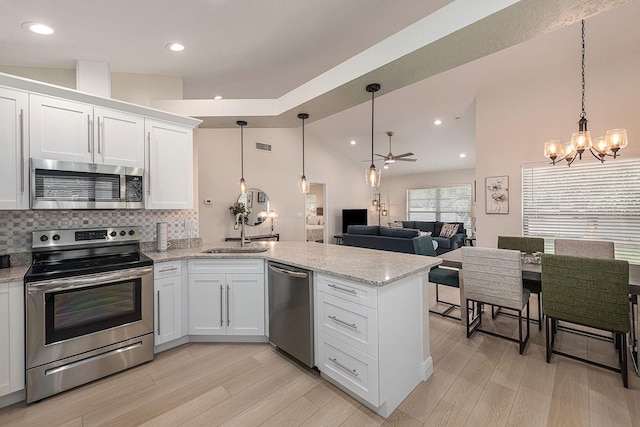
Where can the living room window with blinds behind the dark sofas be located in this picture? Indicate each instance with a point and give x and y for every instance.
(446, 204)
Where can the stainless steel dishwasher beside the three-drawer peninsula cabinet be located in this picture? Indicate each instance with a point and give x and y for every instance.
(291, 311)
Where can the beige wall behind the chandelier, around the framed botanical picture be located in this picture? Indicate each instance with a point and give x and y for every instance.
(512, 124)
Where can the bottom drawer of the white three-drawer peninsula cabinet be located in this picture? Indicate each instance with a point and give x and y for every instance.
(352, 369)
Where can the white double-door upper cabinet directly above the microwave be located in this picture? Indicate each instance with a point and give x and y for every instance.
(74, 131)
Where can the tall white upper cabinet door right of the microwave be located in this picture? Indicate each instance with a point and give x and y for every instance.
(169, 165)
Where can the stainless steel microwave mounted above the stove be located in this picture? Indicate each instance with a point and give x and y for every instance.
(74, 185)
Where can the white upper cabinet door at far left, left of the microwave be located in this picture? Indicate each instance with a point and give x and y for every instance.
(14, 162)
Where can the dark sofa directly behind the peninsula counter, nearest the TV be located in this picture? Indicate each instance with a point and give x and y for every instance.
(388, 239)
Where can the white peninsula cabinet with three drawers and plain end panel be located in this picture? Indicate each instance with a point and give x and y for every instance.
(369, 340)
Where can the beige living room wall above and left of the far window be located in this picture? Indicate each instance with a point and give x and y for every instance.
(393, 190)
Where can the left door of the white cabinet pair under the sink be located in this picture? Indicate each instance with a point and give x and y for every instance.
(207, 308)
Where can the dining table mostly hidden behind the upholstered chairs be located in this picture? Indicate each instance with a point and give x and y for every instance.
(532, 271)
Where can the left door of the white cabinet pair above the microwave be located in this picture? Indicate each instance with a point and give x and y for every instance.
(60, 130)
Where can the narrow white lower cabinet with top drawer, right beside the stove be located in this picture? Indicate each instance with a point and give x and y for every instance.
(167, 285)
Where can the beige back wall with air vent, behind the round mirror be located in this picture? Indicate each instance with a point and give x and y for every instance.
(276, 173)
